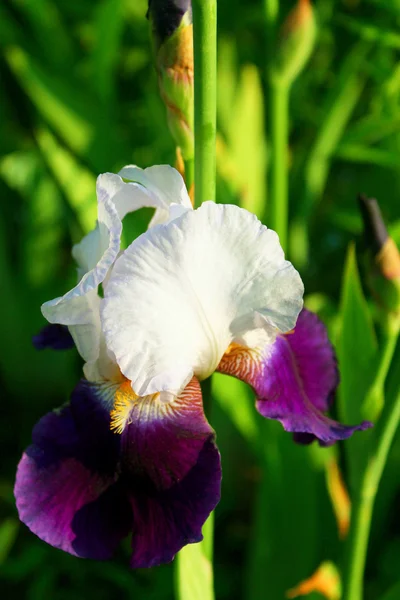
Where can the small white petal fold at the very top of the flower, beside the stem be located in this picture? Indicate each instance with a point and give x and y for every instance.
(164, 186)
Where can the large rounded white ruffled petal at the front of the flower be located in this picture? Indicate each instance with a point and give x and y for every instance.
(182, 292)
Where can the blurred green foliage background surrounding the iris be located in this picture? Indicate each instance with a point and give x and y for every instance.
(79, 97)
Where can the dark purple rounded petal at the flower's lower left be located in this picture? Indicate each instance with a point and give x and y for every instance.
(65, 487)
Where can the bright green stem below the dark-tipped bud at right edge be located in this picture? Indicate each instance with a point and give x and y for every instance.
(364, 500)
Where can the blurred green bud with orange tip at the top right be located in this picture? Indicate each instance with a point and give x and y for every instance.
(296, 41)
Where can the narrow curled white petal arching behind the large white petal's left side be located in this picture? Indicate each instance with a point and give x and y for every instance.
(96, 253)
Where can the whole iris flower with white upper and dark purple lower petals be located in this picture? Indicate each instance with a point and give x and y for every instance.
(201, 291)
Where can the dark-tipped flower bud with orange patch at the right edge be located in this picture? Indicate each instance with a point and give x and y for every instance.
(383, 258)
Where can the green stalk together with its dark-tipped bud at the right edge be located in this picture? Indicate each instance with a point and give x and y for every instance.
(383, 265)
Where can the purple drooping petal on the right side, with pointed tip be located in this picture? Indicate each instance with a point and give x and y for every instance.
(295, 379)
